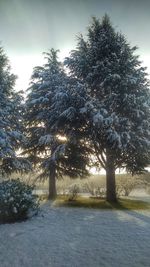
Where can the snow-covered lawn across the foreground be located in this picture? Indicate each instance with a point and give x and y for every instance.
(72, 237)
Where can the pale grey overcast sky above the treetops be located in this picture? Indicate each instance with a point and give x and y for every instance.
(30, 27)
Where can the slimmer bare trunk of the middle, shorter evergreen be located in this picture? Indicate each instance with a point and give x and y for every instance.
(52, 182)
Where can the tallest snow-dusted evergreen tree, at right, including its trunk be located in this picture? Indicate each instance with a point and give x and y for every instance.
(119, 114)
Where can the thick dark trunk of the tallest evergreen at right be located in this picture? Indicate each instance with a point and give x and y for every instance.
(110, 178)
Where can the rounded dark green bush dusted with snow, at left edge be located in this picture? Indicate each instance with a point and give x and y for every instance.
(16, 201)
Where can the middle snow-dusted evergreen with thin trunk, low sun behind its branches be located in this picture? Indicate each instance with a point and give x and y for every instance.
(50, 143)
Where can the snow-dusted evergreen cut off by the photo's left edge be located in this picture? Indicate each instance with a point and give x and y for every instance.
(11, 136)
